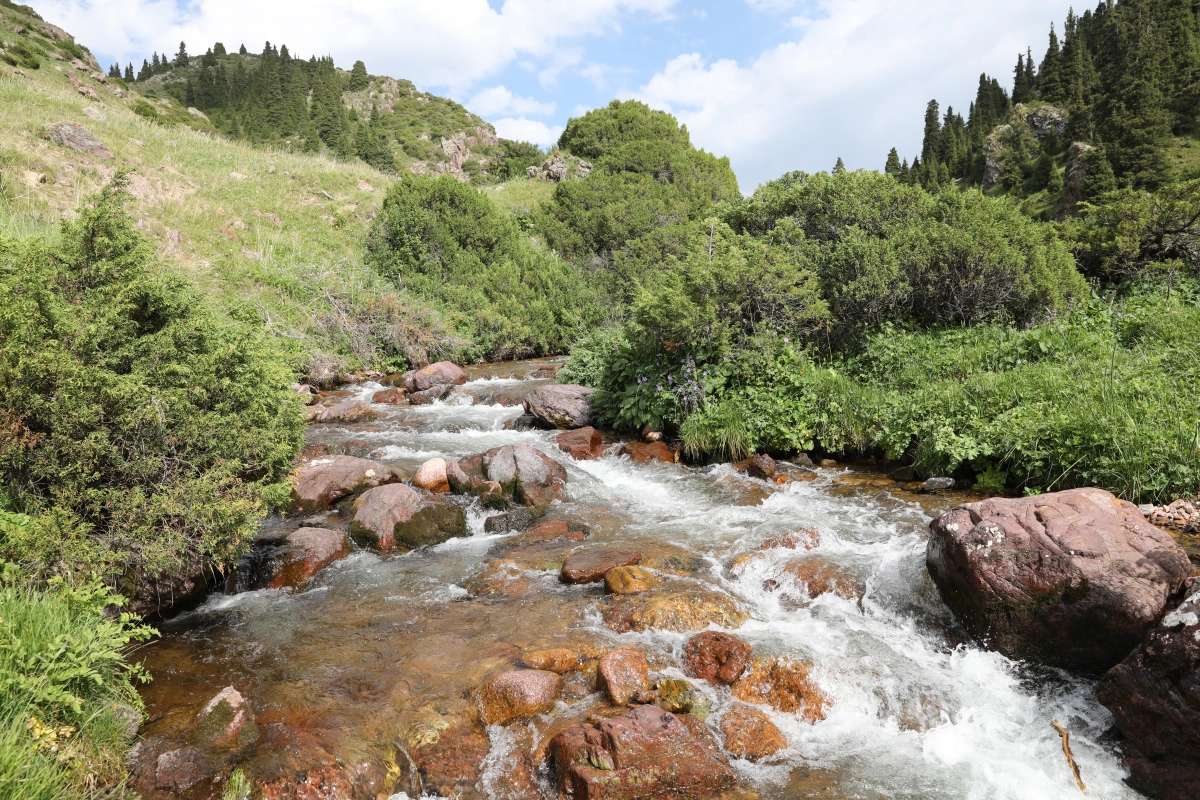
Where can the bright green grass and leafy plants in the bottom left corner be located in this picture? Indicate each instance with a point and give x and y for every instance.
(67, 693)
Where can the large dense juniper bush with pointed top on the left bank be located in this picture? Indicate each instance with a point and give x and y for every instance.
(139, 426)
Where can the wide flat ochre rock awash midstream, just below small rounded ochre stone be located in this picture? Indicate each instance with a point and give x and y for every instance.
(682, 611)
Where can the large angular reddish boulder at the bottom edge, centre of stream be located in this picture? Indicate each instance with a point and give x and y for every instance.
(645, 754)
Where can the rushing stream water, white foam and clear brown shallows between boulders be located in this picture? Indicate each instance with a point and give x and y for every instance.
(376, 647)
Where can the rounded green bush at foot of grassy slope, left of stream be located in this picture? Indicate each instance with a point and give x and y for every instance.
(447, 242)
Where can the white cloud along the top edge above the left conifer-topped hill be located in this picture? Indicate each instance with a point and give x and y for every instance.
(453, 44)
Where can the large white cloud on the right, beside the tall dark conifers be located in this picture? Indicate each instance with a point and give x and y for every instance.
(854, 82)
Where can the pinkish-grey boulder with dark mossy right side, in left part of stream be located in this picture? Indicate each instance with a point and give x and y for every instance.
(398, 516)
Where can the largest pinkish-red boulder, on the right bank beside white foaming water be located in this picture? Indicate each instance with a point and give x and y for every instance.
(1075, 580)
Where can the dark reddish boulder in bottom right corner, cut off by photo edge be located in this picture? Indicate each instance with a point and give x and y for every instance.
(1155, 699)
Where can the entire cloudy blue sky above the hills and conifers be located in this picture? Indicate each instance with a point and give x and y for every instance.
(773, 85)
